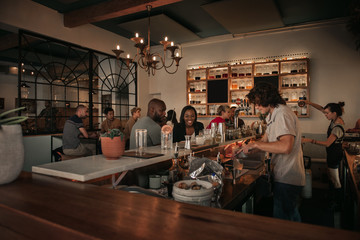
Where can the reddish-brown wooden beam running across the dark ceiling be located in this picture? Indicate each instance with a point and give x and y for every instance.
(110, 9)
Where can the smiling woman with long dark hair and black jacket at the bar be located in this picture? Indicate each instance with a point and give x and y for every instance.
(188, 124)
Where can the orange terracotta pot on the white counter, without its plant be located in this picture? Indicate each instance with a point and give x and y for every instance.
(112, 148)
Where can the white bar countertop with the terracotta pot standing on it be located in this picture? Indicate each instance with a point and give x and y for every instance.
(96, 166)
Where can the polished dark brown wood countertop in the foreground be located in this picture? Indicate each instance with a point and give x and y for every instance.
(41, 207)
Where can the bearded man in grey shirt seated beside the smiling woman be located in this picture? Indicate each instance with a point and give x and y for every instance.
(155, 116)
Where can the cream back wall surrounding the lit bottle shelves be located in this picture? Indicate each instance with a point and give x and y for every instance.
(334, 67)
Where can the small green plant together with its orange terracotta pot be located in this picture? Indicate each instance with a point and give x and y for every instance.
(113, 144)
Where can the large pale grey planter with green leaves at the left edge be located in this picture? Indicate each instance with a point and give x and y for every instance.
(11, 146)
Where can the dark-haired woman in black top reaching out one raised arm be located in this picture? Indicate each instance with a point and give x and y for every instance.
(333, 144)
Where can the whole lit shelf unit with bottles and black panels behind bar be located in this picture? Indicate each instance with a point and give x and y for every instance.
(207, 88)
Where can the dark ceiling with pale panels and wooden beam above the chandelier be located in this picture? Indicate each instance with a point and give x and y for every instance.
(189, 20)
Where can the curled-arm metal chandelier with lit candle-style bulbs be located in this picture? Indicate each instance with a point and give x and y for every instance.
(149, 61)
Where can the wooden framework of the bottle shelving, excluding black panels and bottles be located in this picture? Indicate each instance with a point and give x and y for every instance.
(271, 66)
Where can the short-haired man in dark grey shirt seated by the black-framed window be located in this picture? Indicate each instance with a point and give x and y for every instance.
(73, 130)
